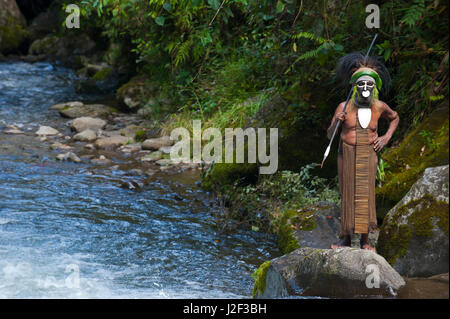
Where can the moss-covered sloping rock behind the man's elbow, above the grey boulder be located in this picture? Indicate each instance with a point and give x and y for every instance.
(426, 146)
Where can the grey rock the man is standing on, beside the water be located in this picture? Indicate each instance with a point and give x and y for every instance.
(341, 273)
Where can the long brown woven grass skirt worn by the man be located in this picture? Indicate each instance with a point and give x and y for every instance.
(358, 212)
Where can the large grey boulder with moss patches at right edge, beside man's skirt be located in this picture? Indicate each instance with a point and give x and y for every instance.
(414, 234)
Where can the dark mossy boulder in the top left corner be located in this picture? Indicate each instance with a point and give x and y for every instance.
(12, 26)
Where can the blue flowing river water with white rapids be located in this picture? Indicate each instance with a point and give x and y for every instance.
(69, 231)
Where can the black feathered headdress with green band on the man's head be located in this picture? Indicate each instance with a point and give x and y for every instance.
(354, 65)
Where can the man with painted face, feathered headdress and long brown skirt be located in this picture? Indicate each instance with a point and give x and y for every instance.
(359, 144)
